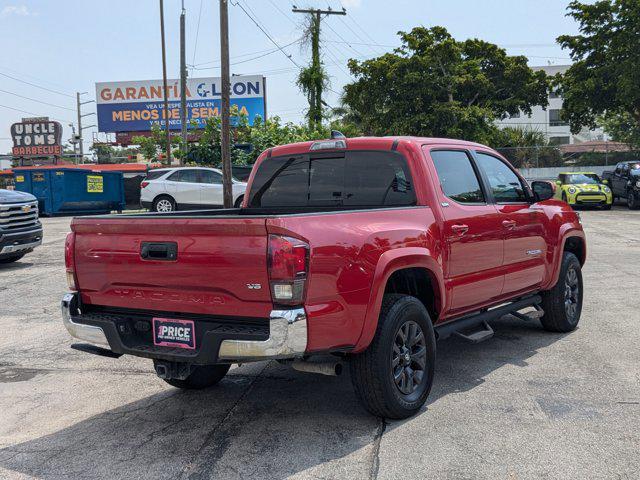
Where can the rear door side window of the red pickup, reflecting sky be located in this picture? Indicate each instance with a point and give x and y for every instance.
(458, 179)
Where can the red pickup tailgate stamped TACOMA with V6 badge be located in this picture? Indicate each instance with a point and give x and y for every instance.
(220, 267)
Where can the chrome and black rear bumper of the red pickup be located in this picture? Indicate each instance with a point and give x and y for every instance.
(285, 337)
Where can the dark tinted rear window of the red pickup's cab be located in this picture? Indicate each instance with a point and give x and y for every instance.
(356, 179)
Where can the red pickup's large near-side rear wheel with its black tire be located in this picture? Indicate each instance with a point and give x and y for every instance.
(393, 376)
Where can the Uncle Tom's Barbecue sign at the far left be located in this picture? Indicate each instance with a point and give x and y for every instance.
(36, 137)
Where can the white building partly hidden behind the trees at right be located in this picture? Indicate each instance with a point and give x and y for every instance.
(549, 121)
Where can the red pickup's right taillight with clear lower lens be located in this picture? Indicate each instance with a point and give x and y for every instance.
(288, 269)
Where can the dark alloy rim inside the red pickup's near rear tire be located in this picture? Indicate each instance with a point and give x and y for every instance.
(409, 357)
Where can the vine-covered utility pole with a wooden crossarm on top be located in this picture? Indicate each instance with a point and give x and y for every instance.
(315, 90)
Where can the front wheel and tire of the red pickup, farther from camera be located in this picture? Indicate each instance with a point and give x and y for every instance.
(562, 304)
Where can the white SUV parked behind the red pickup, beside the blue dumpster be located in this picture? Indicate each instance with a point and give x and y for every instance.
(186, 188)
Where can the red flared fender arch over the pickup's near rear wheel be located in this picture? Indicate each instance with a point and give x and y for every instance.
(388, 263)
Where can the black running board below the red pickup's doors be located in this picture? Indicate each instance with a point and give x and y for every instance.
(473, 322)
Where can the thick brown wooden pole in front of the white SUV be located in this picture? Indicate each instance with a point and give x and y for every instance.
(225, 94)
